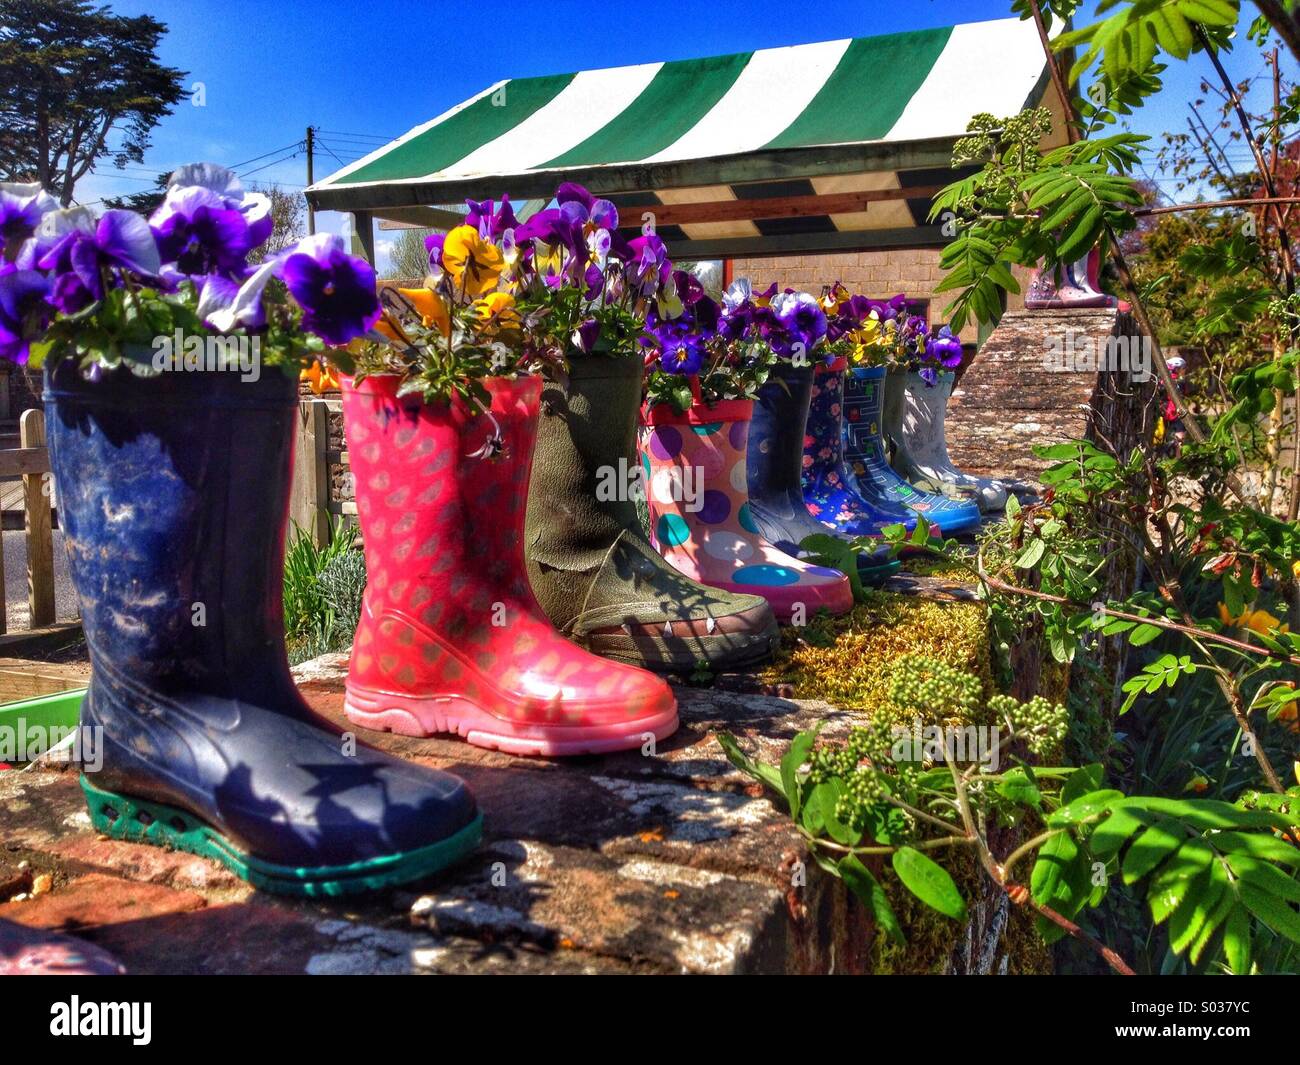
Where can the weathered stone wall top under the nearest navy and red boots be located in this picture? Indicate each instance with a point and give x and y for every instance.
(673, 863)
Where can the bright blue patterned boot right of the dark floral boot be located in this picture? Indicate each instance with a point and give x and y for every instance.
(870, 478)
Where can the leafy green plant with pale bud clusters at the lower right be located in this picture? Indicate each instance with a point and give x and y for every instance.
(1221, 876)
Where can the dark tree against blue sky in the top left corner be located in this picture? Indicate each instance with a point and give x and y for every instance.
(71, 73)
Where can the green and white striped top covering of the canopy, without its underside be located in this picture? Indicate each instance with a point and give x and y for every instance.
(691, 123)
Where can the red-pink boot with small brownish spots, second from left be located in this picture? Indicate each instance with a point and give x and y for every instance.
(450, 638)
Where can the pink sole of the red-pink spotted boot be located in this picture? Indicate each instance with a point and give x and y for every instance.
(413, 716)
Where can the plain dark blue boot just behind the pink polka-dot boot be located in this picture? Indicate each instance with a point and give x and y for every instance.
(775, 467)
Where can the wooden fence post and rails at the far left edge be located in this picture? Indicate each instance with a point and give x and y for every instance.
(32, 462)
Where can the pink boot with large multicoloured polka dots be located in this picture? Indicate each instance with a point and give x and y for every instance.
(701, 519)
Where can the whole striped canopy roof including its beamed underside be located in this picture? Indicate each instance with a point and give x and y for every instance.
(837, 145)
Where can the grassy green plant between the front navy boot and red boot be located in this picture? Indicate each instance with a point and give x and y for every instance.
(319, 588)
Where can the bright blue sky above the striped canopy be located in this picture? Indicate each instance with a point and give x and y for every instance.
(374, 71)
